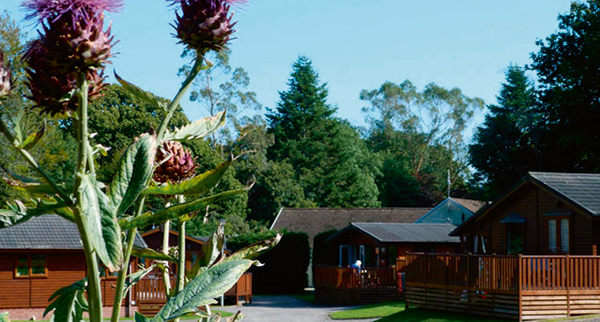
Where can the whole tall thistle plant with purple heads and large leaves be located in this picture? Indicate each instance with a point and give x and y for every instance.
(66, 64)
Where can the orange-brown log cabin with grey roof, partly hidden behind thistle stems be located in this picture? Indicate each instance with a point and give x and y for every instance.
(40, 256)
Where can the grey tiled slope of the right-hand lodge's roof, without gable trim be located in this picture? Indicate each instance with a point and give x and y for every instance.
(582, 189)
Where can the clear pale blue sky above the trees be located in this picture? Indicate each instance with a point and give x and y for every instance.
(354, 45)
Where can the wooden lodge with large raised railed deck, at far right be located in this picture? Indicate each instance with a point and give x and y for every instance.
(530, 255)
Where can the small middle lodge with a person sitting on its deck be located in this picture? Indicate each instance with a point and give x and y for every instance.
(378, 246)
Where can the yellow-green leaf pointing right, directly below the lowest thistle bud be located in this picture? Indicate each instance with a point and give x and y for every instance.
(196, 186)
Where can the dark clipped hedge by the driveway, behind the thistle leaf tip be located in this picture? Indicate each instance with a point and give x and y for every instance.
(285, 266)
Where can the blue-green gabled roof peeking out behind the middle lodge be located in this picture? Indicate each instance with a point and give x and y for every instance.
(451, 210)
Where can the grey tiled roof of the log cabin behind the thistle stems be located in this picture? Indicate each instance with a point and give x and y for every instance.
(49, 232)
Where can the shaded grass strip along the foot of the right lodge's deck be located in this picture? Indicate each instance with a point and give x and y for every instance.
(419, 315)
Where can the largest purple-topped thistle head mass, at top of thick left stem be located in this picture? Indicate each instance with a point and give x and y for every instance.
(72, 42)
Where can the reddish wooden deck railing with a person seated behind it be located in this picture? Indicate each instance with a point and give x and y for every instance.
(351, 278)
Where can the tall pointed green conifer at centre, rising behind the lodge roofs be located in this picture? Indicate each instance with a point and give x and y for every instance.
(328, 157)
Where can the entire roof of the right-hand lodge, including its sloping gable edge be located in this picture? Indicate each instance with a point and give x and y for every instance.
(580, 190)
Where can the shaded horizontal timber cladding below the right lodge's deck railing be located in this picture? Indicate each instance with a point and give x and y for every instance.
(455, 300)
